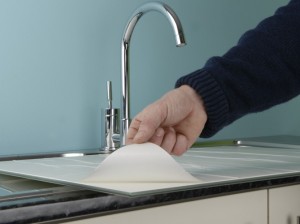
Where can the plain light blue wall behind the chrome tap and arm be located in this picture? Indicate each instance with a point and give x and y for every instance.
(56, 55)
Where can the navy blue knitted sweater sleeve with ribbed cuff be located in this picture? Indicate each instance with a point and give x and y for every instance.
(262, 70)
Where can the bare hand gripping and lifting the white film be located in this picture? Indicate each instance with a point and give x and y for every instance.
(174, 122)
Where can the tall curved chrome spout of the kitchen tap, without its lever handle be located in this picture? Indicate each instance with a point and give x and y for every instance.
(180, 41)
